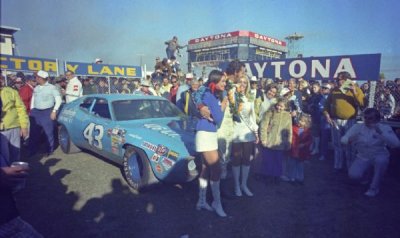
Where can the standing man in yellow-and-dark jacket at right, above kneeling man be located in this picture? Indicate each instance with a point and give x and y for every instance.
(340, 111)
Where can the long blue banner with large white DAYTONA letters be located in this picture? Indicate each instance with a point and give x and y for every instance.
(360, 67)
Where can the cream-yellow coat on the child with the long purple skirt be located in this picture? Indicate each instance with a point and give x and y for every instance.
(276, 130)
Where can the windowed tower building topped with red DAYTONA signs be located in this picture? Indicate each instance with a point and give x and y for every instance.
(243, 45)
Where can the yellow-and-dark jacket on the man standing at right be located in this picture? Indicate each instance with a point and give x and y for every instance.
(344, 106)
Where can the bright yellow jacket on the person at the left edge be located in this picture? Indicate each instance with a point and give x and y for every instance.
(13, 113)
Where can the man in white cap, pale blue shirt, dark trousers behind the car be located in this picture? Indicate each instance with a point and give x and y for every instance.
(45, 103)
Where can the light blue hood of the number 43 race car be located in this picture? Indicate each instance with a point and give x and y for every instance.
(176, 134)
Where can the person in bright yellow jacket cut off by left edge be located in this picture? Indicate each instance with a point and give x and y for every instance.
(14, 123)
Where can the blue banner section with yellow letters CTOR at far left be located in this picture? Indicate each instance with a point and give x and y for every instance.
(28, 64)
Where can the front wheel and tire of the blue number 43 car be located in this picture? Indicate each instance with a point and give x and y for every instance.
(136, 168)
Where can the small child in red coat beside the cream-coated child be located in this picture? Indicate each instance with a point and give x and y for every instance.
(300, 150)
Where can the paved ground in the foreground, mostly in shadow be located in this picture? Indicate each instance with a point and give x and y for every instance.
(82, 196)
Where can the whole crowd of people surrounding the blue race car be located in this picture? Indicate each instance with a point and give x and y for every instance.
(277, 123)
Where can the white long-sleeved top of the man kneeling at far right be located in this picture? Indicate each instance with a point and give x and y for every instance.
(368, 142)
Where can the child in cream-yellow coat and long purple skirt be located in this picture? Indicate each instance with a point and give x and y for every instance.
(276, 137)
